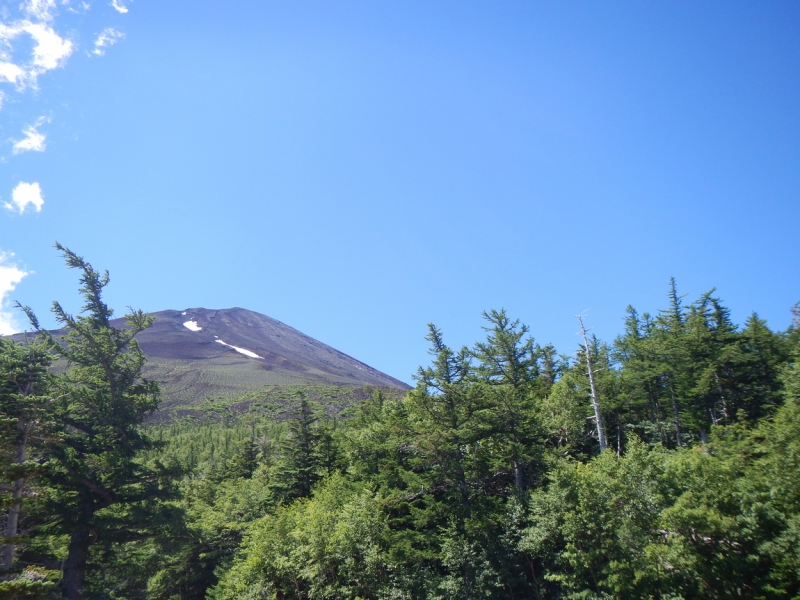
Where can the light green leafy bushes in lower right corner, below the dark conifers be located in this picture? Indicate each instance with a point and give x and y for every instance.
(702, 522)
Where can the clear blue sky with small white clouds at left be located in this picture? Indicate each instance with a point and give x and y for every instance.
(359, 169)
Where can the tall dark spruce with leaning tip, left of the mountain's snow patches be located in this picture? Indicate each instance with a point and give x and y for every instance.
(99, 492)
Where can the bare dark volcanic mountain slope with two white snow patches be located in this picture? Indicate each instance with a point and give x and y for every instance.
(198, 354)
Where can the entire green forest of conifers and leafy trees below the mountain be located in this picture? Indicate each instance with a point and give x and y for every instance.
(661, 464)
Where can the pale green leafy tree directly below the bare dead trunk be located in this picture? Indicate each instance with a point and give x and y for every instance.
(591, 524)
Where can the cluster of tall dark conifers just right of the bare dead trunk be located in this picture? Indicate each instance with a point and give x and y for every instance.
(688, 369)
